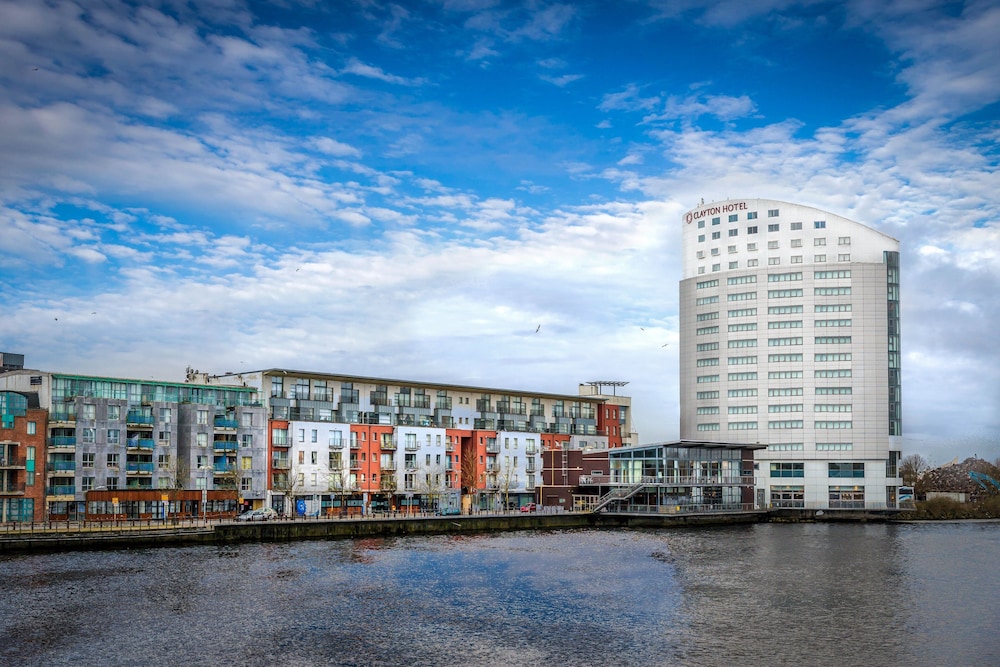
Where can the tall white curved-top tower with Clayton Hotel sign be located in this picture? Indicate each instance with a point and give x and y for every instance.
(789, 332)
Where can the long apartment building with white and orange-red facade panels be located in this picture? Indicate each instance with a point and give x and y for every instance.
(341, 444)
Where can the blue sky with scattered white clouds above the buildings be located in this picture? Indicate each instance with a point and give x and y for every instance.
(482, 192)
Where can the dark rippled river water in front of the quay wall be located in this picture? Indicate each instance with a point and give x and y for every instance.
(770, 594)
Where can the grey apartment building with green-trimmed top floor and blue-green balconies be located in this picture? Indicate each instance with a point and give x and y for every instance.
(103, 433)
